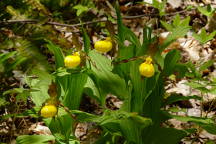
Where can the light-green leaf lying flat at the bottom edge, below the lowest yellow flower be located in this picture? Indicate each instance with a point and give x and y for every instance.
(34, 139)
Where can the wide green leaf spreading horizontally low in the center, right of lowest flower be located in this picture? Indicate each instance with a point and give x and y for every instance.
(115, 121)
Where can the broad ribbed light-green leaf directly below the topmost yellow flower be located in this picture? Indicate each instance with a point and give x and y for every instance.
(107, 81)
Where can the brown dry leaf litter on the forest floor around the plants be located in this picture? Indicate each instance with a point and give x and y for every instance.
(136, 17)
